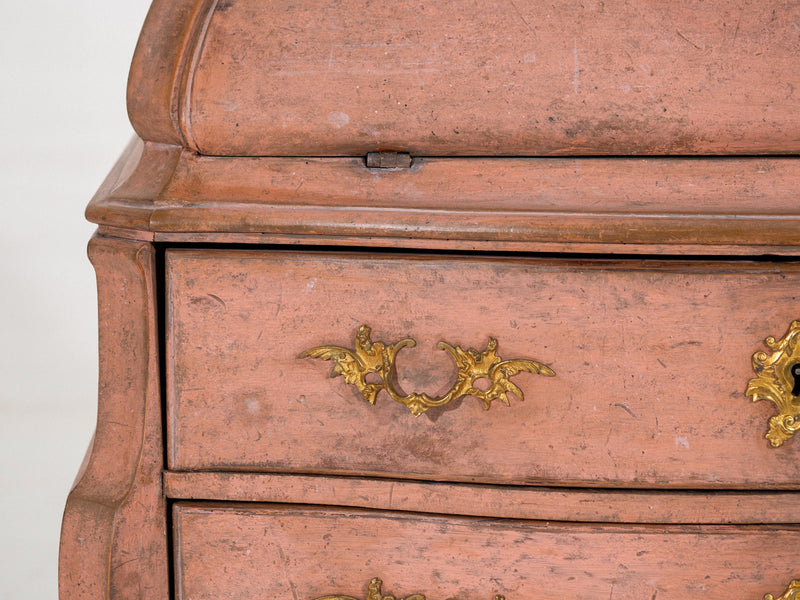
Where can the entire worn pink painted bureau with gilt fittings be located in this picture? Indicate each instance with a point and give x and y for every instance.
(455, 299)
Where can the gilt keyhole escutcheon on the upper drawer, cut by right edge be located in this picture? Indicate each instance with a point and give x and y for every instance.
(776, 381)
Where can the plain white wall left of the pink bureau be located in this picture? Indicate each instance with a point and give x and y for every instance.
(63, 70)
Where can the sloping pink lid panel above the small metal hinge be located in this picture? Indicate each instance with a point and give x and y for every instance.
(496, 78)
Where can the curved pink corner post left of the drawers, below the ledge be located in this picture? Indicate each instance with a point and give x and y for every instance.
(113, 539)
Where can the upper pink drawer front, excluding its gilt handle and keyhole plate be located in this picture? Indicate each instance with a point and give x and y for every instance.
(651, 362)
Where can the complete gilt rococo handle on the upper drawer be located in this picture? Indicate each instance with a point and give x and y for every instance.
(378, 358)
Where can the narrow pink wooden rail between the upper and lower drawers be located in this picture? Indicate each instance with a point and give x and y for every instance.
(511, 502)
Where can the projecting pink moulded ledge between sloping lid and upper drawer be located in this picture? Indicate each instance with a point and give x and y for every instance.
(664, 206)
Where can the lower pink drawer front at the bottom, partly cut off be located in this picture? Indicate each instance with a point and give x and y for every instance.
(304, 553)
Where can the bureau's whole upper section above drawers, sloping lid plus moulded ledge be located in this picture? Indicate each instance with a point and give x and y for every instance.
(598, 126)
